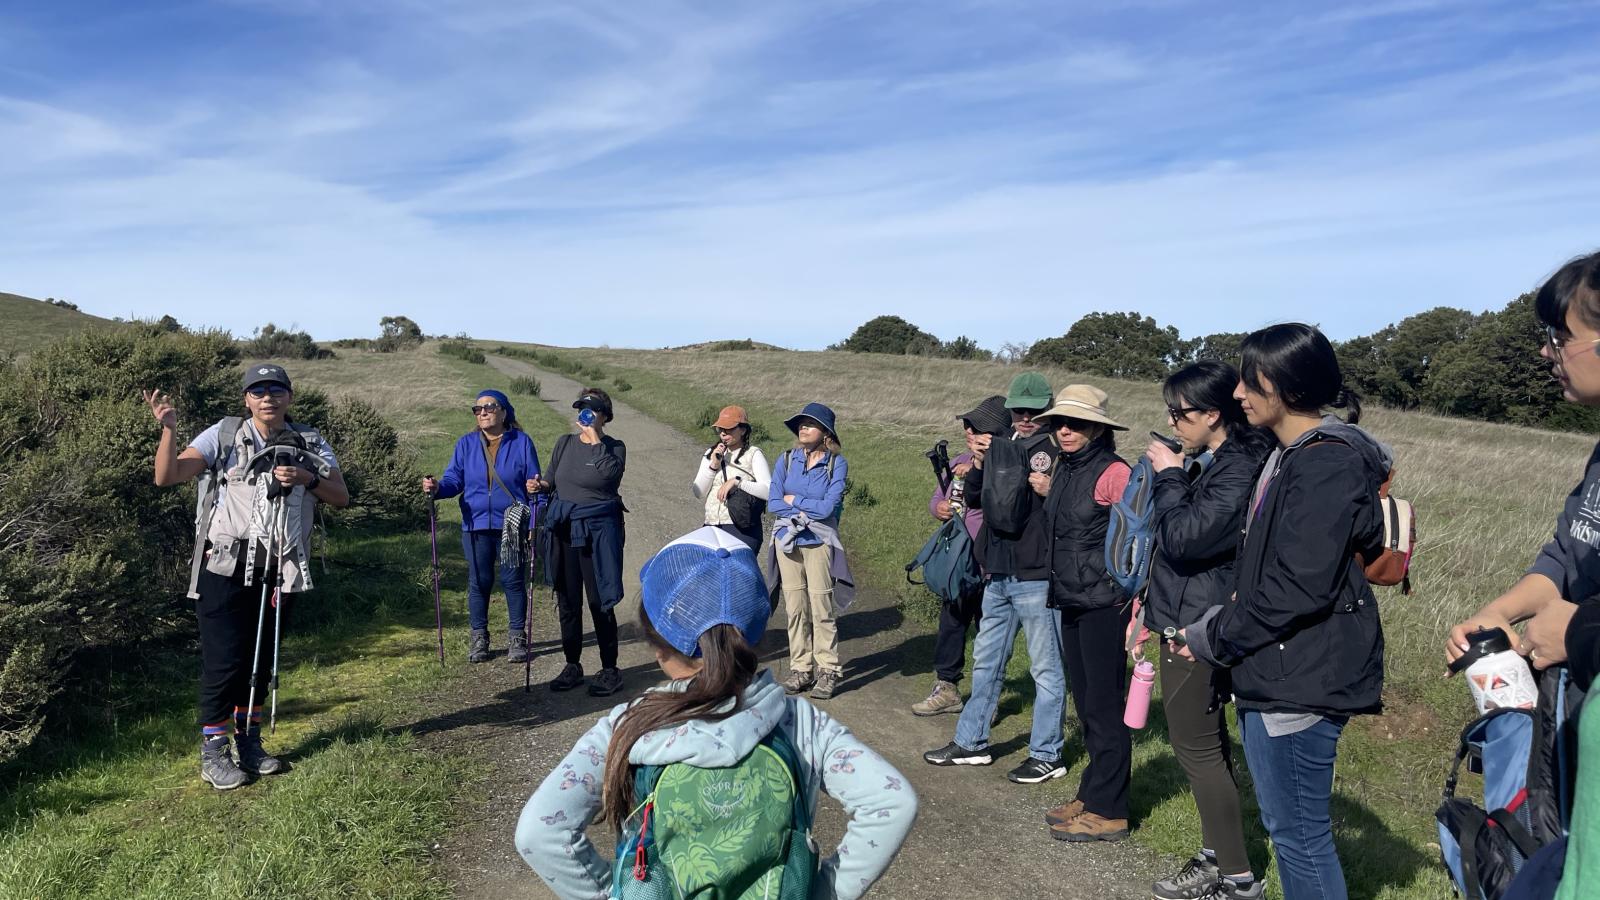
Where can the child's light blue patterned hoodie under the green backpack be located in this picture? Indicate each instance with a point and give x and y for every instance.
(881, 803)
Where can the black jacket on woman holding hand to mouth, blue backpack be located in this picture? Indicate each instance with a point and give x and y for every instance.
(1198, 531)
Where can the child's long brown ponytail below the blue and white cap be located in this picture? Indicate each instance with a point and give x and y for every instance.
(730, 669)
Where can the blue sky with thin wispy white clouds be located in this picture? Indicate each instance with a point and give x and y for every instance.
(652, 174)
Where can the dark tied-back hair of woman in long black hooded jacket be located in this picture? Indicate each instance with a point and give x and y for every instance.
(1303, 369)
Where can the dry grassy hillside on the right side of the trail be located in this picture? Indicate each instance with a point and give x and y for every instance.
(1487, 499)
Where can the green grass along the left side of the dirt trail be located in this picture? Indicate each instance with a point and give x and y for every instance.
(113, 806)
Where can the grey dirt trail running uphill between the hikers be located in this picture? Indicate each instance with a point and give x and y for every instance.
(977, 834)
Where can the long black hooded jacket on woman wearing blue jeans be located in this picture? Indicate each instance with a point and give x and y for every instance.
(1303, 635)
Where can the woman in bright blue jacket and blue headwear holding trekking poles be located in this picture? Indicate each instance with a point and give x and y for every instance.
(495, 472)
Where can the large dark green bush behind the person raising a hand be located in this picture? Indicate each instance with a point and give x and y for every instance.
(92, 553)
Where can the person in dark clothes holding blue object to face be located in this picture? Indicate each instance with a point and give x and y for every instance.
(582, 539)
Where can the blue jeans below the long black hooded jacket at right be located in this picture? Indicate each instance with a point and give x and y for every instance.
(1294, 781)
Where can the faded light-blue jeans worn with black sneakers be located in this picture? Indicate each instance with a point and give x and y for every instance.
(1012, 605)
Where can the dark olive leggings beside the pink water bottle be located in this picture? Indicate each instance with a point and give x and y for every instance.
(1199, 736)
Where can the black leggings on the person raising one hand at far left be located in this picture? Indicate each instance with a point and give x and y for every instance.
(228, 643)
